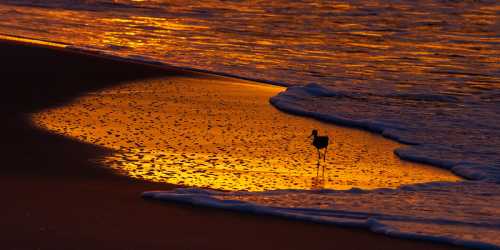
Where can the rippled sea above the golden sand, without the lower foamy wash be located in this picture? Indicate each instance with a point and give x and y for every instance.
(430, 69)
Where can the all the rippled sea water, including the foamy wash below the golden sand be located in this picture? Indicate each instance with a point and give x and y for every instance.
(426, 73)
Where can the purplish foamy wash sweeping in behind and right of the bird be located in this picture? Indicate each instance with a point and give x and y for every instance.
(451, 136)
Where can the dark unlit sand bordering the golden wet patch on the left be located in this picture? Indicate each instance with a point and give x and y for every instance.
(53, 197)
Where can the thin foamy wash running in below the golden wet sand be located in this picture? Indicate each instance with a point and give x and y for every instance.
(439, 212)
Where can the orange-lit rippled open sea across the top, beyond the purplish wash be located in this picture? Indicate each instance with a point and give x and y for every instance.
(450, 47)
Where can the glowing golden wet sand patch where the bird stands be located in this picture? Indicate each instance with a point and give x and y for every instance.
(222, 133)
